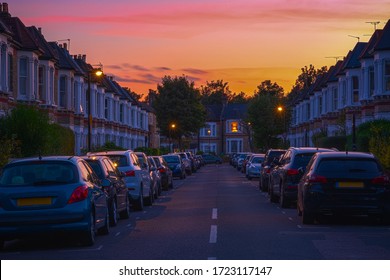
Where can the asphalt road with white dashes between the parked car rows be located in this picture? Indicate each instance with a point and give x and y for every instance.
(217, 214)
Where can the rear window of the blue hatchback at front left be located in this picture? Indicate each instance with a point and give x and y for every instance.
(39, 173)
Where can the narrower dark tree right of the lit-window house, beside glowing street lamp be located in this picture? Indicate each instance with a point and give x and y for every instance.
(265, 120)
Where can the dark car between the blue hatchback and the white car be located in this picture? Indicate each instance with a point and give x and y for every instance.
(118, 201)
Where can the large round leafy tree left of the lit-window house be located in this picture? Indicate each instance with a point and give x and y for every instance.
(178, 102)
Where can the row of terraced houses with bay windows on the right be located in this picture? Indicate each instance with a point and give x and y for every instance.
(353, 91)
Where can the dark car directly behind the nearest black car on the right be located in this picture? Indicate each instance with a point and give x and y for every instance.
(285, 176)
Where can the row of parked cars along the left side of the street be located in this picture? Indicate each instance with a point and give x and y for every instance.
(83, 195)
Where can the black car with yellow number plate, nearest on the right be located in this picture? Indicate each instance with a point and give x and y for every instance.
(344, 183)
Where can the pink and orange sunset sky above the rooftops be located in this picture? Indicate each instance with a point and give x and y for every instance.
(242, 42)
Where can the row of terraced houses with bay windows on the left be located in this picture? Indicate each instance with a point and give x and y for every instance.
(34, 71)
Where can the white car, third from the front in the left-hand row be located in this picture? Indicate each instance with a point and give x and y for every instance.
(136, 176)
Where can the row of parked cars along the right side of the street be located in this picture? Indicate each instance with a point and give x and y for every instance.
(324, 182)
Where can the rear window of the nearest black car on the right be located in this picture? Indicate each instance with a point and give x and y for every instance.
(348, 167)
